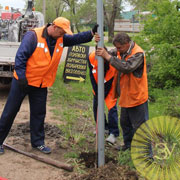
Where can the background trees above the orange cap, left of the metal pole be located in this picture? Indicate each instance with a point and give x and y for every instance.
(67, 8)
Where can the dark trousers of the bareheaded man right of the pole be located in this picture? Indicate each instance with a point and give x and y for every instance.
(131, 119)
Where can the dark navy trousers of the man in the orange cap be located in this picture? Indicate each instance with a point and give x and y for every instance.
(37, 101)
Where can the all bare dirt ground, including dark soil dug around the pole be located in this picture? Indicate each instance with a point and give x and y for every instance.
(15, 166)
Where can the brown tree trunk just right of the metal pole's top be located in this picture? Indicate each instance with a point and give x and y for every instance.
(112, 9)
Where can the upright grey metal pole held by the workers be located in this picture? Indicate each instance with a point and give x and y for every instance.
(100, 20)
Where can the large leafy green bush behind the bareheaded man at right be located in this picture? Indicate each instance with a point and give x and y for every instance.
(163, 37)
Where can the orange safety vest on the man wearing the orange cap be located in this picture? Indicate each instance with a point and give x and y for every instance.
(41, 68)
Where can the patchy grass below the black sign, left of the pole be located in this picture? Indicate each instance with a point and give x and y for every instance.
(70, 98)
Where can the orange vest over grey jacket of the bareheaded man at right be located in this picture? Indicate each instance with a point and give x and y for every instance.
(134, 90)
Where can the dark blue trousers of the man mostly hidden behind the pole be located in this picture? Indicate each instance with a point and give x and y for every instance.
(112, 124)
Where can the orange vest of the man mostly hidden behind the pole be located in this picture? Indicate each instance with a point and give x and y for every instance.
(110, 102)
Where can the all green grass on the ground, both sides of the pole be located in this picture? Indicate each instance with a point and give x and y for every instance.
(72, 104)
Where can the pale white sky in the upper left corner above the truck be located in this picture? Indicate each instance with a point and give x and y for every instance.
(13, 3)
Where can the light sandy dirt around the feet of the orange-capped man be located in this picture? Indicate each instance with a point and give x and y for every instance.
(15, 166)
